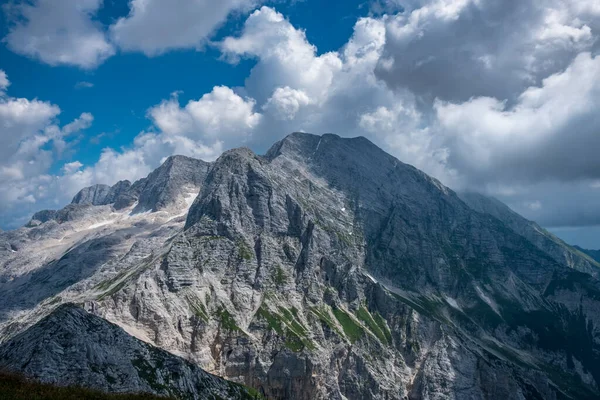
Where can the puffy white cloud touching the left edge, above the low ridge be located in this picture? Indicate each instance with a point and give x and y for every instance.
(30, 144)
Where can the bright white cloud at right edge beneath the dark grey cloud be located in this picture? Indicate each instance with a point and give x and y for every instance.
(550, 133)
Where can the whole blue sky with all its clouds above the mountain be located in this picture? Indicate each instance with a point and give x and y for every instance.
(496, 98)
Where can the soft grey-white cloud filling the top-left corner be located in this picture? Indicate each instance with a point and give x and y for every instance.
(58, 32)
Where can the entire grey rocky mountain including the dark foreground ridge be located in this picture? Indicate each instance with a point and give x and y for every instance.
(325, 269)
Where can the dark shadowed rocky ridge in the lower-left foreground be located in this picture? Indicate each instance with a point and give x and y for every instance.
(72, 347)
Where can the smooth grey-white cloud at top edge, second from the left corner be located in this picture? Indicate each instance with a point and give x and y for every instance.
(155, 26)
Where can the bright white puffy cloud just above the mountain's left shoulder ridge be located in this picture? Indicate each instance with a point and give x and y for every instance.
(202, 129)
